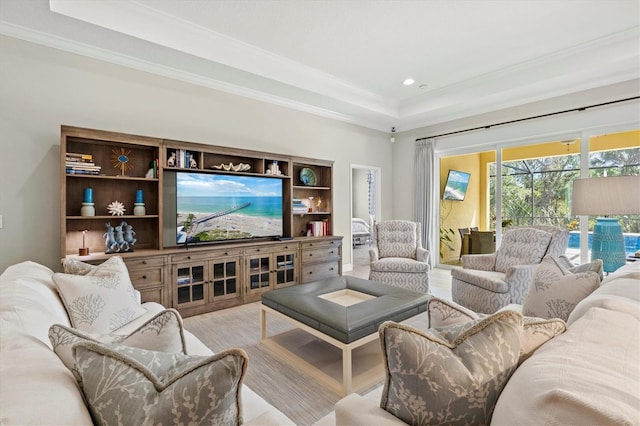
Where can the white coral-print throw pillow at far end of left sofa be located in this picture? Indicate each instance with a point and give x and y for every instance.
(101, 301)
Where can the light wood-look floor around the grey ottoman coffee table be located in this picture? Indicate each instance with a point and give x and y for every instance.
(295, 392)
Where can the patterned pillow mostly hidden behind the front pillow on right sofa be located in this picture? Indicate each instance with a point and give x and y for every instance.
(535, 332)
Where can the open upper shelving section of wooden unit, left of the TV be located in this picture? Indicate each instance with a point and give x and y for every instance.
(107, 167)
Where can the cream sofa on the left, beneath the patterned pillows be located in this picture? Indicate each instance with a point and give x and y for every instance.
(35, 386)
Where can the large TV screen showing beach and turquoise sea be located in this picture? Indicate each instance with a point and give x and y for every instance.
(227, 207)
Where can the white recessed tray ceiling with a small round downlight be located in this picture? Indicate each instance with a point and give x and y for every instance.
(347, 59)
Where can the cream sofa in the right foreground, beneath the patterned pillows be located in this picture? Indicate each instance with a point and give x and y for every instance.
(590, 374)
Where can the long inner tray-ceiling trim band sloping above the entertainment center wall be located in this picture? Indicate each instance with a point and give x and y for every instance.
(149, 24)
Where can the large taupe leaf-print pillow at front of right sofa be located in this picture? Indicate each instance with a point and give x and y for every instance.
(450, 376)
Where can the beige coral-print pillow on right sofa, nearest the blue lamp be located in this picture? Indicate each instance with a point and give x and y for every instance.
(555, 291)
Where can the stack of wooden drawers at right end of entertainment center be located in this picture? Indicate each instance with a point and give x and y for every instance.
(321, 258)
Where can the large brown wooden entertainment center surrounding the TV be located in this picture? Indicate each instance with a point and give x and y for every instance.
(193, 278)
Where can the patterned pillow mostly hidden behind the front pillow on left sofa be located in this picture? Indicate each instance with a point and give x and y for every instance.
(162, 333)
